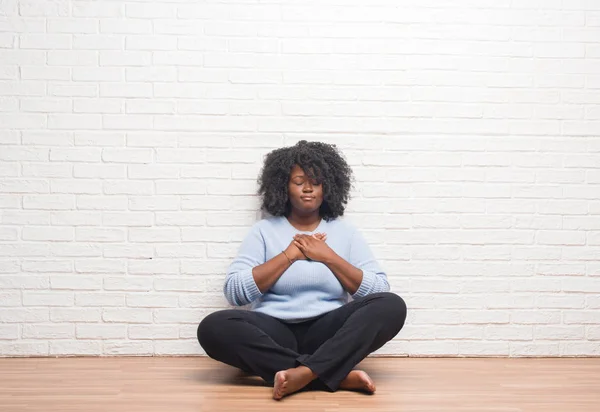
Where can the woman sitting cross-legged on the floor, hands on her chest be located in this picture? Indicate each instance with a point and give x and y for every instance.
(298, 269)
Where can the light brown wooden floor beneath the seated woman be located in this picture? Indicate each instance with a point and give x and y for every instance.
(200, 384)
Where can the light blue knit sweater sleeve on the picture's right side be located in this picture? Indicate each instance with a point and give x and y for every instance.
(374, 279)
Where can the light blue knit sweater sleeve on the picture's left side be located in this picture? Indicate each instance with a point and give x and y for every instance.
(240, 288)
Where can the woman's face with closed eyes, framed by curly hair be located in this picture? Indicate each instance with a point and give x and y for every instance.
(306, 195)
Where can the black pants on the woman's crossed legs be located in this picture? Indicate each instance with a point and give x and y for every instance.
(330, 345)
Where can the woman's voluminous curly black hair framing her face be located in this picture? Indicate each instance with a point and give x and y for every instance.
(320, 161)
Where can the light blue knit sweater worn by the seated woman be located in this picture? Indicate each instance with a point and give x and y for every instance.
(307, 288)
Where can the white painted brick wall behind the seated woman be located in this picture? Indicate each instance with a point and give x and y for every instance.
(132, 131)
